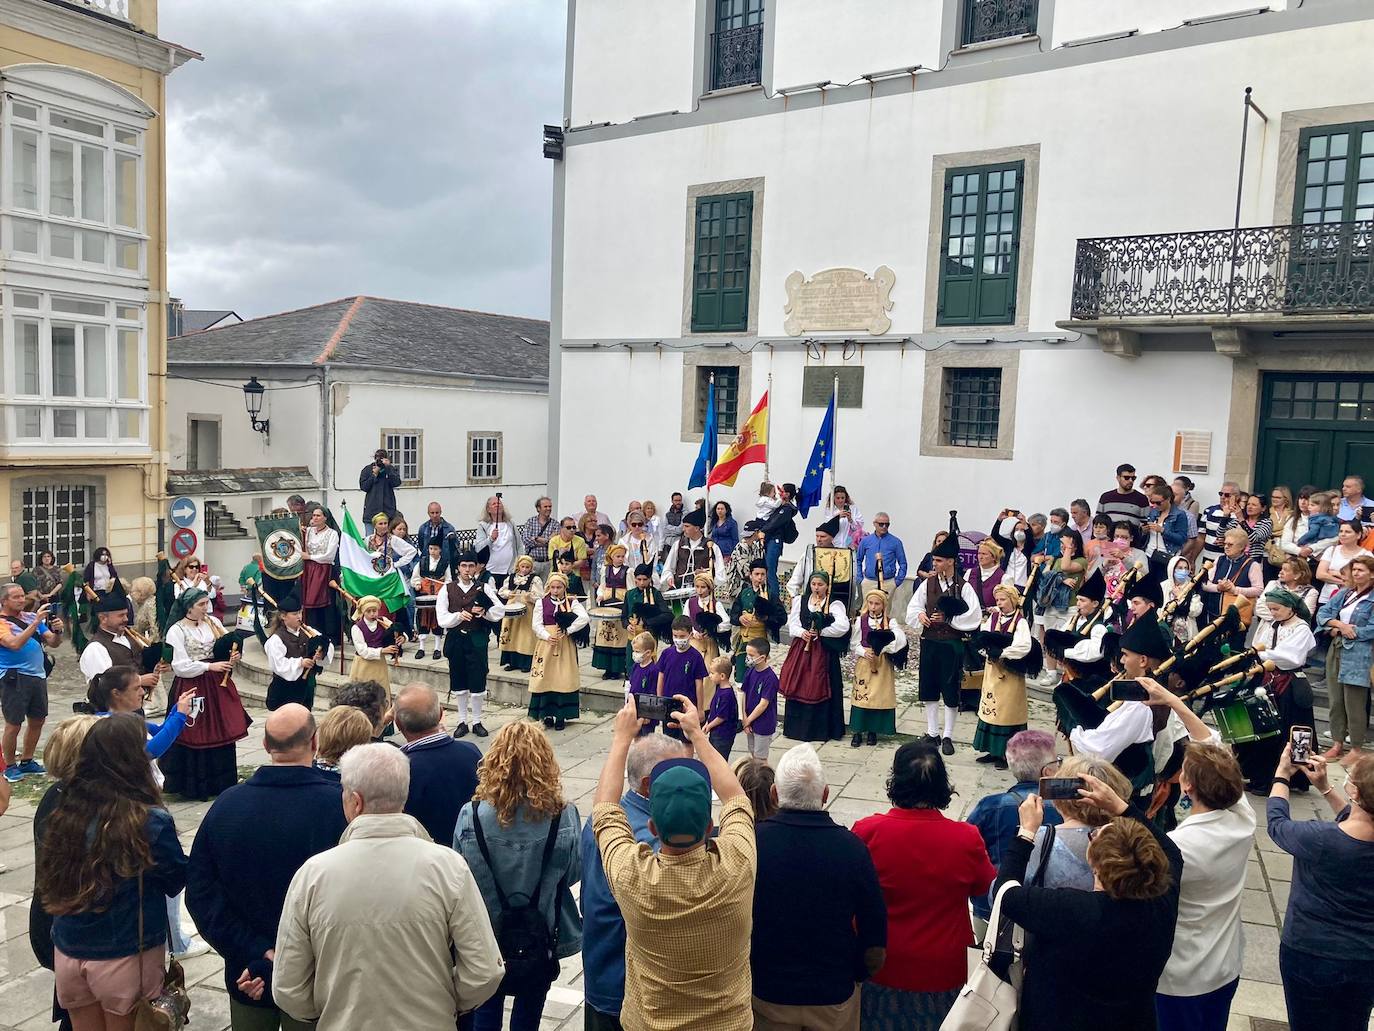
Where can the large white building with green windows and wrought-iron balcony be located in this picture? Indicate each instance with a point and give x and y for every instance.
(1034, 212)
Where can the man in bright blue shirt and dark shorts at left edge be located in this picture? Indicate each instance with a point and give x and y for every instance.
(24, 678)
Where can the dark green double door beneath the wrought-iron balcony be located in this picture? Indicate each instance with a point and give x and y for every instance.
(1316, 430)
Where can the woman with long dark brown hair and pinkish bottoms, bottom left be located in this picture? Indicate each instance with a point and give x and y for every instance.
(108, 896)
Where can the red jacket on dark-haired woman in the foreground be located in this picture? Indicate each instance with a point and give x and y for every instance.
(930, 868)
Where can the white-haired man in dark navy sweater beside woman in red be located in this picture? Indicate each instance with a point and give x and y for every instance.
(821, 926)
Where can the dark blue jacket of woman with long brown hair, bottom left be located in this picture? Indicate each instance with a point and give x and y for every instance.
(113, 931)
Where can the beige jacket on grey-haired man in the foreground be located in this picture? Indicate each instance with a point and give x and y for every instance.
(368, 929)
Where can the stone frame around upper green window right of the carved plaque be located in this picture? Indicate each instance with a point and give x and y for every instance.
(1030, 155)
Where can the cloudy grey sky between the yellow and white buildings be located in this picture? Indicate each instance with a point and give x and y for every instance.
(390, 148)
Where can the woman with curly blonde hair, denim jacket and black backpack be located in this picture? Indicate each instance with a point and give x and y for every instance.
(520, 841)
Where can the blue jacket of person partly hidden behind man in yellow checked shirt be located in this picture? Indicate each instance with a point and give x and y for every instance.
(604, 929)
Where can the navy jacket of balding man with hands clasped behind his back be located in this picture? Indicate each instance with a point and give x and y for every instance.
(249, 847)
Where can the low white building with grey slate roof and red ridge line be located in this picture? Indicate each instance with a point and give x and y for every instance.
(458, 398)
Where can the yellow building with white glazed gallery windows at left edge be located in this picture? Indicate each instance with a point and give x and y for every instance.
(83, 271)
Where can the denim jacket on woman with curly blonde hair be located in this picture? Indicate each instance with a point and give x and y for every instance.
(517, 853)
